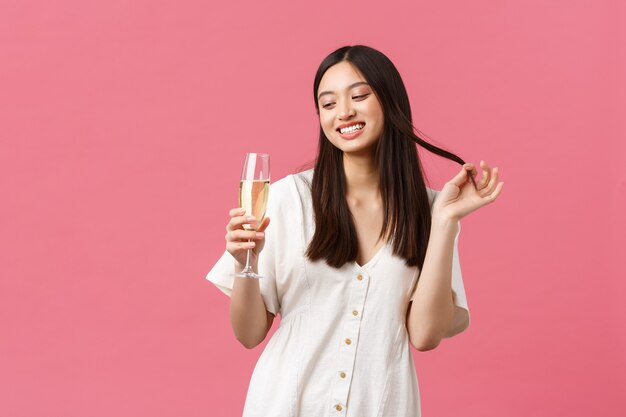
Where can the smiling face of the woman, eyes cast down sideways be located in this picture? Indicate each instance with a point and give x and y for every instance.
(347, 101)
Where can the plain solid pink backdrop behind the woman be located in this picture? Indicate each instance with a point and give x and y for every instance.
(123, 127)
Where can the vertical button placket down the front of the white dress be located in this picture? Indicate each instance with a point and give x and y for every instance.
(349, 339)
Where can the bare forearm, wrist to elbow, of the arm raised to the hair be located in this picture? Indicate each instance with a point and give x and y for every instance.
(430, 316)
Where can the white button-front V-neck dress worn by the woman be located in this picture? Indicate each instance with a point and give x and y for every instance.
(342, 347)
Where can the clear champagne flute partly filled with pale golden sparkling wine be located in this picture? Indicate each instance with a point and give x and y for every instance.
(254, 190)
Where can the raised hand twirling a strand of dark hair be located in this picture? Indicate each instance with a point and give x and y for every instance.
(458, 198)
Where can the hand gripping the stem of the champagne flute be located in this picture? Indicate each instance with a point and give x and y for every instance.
(237, 237)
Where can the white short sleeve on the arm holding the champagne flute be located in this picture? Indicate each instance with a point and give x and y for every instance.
(220, 274)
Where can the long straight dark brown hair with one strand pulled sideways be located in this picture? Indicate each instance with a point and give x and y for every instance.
(406, 207)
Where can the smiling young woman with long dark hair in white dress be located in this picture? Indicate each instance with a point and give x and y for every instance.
(357, 255)
